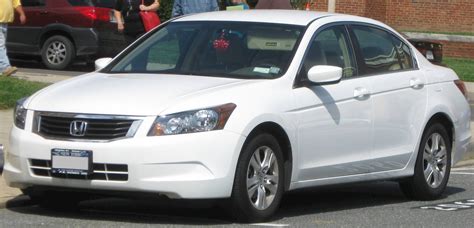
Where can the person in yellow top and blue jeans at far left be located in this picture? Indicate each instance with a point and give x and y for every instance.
(7, 8)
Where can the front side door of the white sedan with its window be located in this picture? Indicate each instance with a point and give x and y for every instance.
(334, 121)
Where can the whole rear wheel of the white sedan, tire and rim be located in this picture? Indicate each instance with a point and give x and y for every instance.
(432, 167)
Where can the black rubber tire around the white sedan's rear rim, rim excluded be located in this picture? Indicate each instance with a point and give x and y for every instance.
(417, 187)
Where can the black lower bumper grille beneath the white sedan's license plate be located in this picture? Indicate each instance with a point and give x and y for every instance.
(101, 171)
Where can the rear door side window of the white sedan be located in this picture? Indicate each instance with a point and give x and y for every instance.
(378, 50)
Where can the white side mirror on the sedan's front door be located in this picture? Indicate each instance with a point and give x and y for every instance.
(324, 74)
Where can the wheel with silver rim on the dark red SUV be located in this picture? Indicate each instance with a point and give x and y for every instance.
(66, 52)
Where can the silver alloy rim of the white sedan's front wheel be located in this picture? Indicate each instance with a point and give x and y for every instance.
(262, 177)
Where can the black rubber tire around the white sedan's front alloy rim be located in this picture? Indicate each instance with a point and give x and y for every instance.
(242, 209)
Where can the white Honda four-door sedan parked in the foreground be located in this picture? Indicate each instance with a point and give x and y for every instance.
(245, 106)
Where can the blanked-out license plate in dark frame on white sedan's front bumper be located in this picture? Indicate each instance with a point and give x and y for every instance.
(71, 162)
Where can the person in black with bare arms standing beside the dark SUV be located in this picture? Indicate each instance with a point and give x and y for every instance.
(127, 14)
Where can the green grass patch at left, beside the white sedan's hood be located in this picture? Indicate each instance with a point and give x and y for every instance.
(12, 89)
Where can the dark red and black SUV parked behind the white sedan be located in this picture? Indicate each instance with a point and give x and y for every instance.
(61, 30)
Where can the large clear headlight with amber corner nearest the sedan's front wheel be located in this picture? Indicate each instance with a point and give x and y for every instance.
(200, 120)
